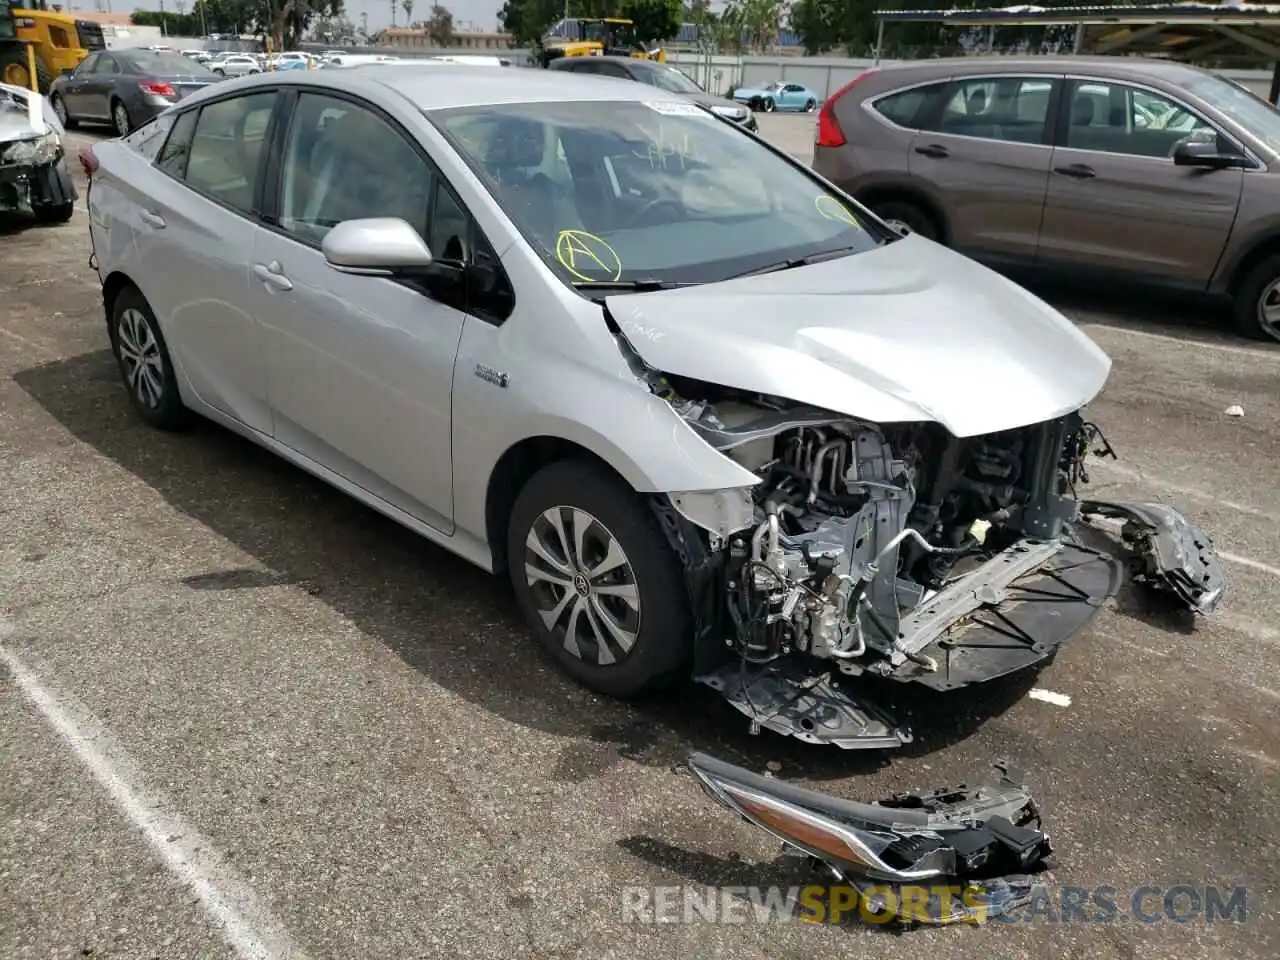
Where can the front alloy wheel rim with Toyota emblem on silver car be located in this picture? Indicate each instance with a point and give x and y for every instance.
(583, 584)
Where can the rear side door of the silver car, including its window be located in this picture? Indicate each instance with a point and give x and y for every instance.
(196, 230)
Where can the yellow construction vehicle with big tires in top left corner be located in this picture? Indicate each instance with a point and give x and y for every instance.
(38, 44)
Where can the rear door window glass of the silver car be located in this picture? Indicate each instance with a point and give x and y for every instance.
(227, 147)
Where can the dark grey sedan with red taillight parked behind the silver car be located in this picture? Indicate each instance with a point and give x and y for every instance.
(125, 88)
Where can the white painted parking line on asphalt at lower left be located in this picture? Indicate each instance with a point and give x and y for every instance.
(235, 909)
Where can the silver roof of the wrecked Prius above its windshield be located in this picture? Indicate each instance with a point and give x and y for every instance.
(442, 85)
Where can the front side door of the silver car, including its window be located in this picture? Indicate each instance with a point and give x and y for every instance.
(360, 368)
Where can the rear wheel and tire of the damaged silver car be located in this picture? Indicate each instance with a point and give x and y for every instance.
(143, 356)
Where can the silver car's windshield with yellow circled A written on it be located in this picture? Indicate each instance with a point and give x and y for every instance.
(618, 191)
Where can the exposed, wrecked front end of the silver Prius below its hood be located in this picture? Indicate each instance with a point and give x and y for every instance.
(900, 552)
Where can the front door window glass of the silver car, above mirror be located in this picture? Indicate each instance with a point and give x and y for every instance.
(342, 162)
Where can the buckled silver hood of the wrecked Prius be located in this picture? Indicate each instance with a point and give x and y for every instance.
(906, 332)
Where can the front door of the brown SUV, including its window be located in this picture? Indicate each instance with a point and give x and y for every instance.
(1116, 198)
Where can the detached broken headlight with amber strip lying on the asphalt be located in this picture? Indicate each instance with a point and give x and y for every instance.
(958, 854)
